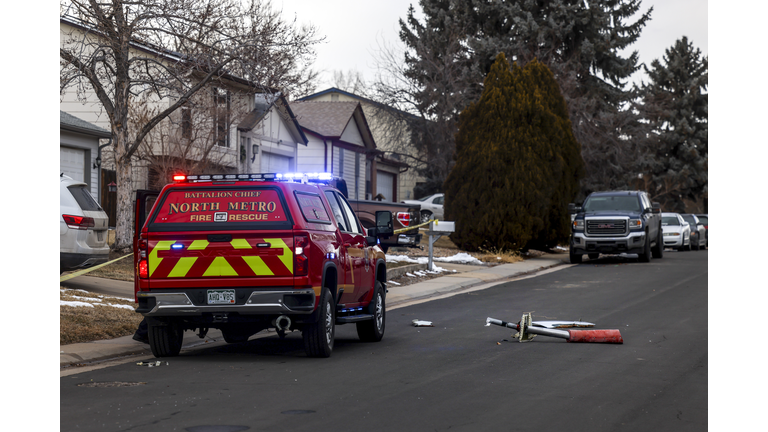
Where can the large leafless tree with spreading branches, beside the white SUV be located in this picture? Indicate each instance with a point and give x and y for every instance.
(165, 51)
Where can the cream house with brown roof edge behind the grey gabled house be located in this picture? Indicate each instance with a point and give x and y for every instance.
(392, 139)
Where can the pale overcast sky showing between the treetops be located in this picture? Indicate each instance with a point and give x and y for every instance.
(354, 29)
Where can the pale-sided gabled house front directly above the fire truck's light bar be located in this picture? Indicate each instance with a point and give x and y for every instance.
(271, 136)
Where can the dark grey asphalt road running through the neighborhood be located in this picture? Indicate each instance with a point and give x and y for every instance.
(459, 375)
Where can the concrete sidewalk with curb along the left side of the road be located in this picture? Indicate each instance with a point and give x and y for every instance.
(464, 278)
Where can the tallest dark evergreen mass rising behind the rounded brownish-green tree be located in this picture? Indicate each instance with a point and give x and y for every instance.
(579, 40)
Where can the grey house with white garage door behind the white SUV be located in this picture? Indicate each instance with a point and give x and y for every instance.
(80, 150)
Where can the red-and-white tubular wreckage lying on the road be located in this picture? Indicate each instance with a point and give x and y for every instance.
(527, 329)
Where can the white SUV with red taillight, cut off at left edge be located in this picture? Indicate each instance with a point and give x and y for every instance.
(83, 227)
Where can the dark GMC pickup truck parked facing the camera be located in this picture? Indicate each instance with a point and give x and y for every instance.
(616, 222)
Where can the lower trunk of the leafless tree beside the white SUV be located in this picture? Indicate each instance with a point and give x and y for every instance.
(124, 227)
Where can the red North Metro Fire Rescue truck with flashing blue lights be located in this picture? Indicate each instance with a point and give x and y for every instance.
(246, 252)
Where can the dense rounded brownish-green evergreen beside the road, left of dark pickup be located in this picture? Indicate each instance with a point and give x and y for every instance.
(517, 162)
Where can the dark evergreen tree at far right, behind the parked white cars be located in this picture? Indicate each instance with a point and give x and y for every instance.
(675, 103)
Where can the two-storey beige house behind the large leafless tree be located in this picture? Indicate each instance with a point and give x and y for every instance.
(201, 136)
